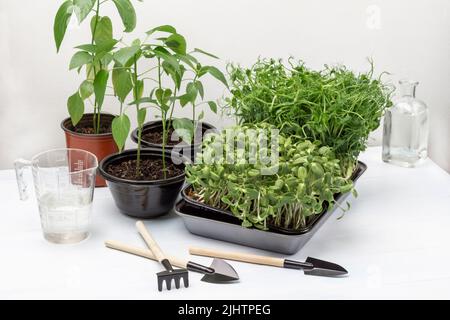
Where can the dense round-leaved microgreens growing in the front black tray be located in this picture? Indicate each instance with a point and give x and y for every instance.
(304, 182)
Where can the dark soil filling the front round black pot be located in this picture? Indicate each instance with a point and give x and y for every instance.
(151, 169)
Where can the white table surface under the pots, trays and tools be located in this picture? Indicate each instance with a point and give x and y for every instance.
(395, 243)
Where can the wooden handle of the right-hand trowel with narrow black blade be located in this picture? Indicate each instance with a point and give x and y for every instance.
(243, 257)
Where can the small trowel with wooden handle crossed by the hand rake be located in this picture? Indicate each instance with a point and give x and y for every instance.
(219, 272)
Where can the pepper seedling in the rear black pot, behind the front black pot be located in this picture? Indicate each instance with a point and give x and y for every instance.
(186, 72)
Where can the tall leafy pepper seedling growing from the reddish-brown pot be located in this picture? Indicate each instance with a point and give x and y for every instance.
(94, 57)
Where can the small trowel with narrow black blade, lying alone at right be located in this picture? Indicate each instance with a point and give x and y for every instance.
(311, 266)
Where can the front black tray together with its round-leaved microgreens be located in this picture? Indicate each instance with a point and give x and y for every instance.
(287, 196)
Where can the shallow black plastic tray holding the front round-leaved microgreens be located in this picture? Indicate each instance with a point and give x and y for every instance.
(220, 224)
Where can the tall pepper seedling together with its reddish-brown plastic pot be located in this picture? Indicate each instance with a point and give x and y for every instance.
(92, 131)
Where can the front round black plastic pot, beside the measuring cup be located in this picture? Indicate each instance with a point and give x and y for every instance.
(142, 199)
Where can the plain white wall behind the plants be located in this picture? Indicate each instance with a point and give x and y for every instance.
(407, 38)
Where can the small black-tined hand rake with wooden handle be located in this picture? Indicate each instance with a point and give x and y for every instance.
(170, 274)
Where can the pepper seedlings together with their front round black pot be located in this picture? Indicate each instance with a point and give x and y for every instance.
(146, 182)
